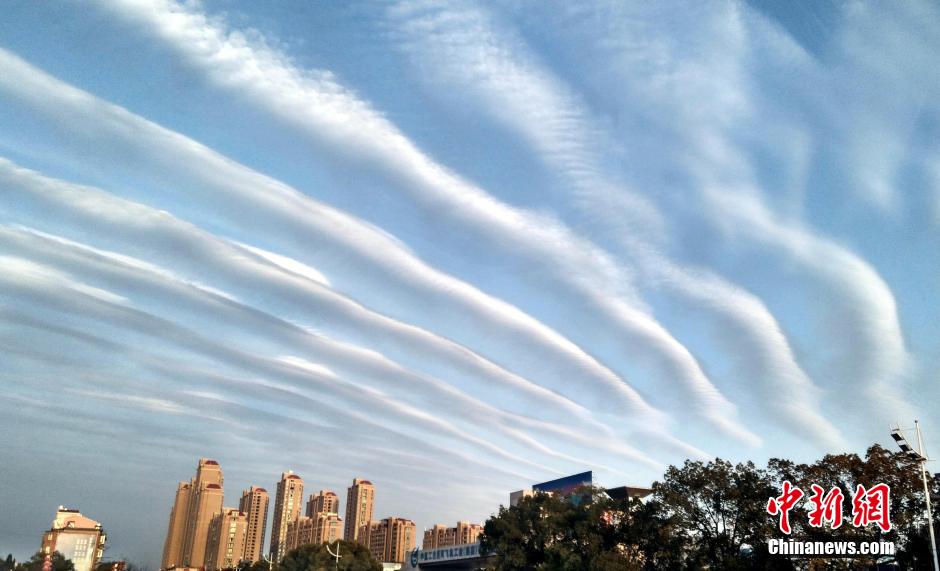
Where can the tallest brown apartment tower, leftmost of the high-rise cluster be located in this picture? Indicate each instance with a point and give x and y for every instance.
(196, 503)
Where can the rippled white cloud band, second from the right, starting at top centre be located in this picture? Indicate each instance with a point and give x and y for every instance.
(456, 44)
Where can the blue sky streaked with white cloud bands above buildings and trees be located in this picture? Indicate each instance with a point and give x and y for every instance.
(454, 247)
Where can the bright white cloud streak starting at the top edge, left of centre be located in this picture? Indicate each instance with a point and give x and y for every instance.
(316, 103)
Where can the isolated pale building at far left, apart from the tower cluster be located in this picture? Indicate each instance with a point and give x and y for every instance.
(76, 537)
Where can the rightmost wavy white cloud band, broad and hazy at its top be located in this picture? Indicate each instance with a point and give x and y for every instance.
(706, 86)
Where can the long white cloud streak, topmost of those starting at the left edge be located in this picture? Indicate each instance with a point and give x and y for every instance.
(238, 192)
